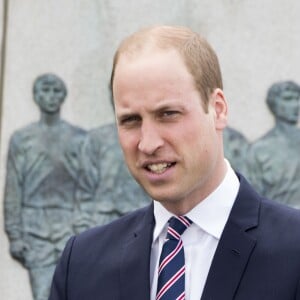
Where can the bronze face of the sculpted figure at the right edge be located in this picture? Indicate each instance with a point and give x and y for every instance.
(287, 106)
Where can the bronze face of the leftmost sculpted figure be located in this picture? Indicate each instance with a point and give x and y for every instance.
(49, 96)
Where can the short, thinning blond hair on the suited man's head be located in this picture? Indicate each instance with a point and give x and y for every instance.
(199, 57)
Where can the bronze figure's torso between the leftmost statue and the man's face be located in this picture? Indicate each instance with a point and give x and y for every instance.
(106, 190)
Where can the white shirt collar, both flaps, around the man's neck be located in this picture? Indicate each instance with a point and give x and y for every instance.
(210, 214)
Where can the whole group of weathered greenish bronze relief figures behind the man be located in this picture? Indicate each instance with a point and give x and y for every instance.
(62, 180)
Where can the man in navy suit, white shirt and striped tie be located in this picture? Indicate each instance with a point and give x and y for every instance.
(171, 111)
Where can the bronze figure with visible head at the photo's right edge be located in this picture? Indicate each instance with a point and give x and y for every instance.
(273, 164)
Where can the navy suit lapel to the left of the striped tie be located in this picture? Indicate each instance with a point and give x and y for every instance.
(134, 271)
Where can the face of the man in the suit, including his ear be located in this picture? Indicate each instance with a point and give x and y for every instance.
(171, 146)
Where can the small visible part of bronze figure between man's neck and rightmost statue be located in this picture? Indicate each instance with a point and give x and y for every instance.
(235, 148)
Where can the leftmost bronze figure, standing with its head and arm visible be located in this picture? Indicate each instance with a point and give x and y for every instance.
(42, 167)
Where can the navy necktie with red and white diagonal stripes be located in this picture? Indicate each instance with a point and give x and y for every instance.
(171, 278)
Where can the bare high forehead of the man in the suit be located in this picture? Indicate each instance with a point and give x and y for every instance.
(151, 81)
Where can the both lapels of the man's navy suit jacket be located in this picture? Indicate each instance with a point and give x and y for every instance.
(231, 257)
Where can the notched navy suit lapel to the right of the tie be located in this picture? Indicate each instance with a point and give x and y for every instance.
(235, 247)
